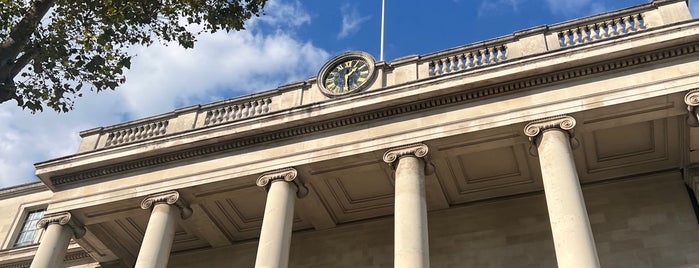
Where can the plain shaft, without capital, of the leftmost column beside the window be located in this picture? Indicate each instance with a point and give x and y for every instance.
(52, 249)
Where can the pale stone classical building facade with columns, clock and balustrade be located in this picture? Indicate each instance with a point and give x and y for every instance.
(569, 145)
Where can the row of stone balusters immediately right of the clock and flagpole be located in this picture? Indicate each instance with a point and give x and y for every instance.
(469, 59)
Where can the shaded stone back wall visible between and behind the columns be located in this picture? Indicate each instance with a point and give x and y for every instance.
(639, 222)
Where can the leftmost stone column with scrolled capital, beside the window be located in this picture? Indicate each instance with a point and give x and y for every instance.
(60, 228)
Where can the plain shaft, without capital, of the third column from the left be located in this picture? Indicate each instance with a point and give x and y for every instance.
(275, 236)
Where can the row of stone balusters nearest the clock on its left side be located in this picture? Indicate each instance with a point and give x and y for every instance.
(237, 111)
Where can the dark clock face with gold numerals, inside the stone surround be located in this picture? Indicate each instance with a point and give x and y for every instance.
(347, 76)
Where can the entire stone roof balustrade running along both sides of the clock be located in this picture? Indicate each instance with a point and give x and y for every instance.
(467, 58)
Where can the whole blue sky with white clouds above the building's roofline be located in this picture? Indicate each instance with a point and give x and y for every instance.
(291, 42)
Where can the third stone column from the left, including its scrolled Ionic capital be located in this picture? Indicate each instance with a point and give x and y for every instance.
(275, 236)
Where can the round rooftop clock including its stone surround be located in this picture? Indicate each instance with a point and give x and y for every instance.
(347, 73)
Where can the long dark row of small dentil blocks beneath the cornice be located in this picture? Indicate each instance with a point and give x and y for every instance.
(377, 114)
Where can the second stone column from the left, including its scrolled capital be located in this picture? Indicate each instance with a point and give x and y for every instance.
(157, 242)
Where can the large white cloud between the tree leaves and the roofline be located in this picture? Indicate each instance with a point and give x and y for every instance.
(164, 78)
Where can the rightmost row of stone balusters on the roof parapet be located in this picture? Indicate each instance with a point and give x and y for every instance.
(601, 30)
